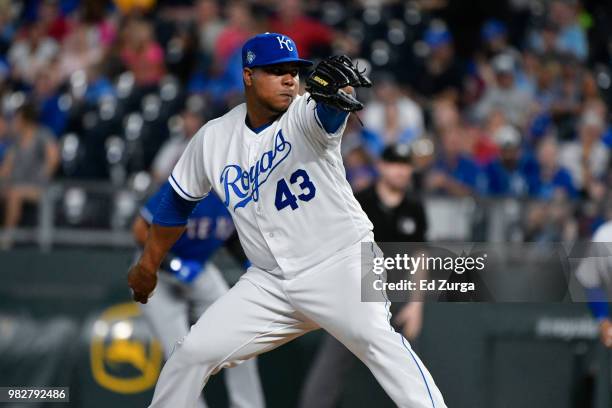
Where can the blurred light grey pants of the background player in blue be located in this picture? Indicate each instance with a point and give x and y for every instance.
(168, 313)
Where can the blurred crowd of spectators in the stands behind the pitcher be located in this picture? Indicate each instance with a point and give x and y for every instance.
(495, 99)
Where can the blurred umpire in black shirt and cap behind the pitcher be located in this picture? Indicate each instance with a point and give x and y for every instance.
(398, 215)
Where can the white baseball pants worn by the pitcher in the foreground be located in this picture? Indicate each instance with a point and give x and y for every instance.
(267, 309)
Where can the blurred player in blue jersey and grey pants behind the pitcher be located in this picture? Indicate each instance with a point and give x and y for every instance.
(190, 283)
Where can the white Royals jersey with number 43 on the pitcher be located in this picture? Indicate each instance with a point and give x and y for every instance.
(285, 187)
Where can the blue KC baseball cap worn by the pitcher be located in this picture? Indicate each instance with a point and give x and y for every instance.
(268, 49)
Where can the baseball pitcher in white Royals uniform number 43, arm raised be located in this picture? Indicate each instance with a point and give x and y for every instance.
(275, 162)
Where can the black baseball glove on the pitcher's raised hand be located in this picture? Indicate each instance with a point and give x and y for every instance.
(332, 74)
